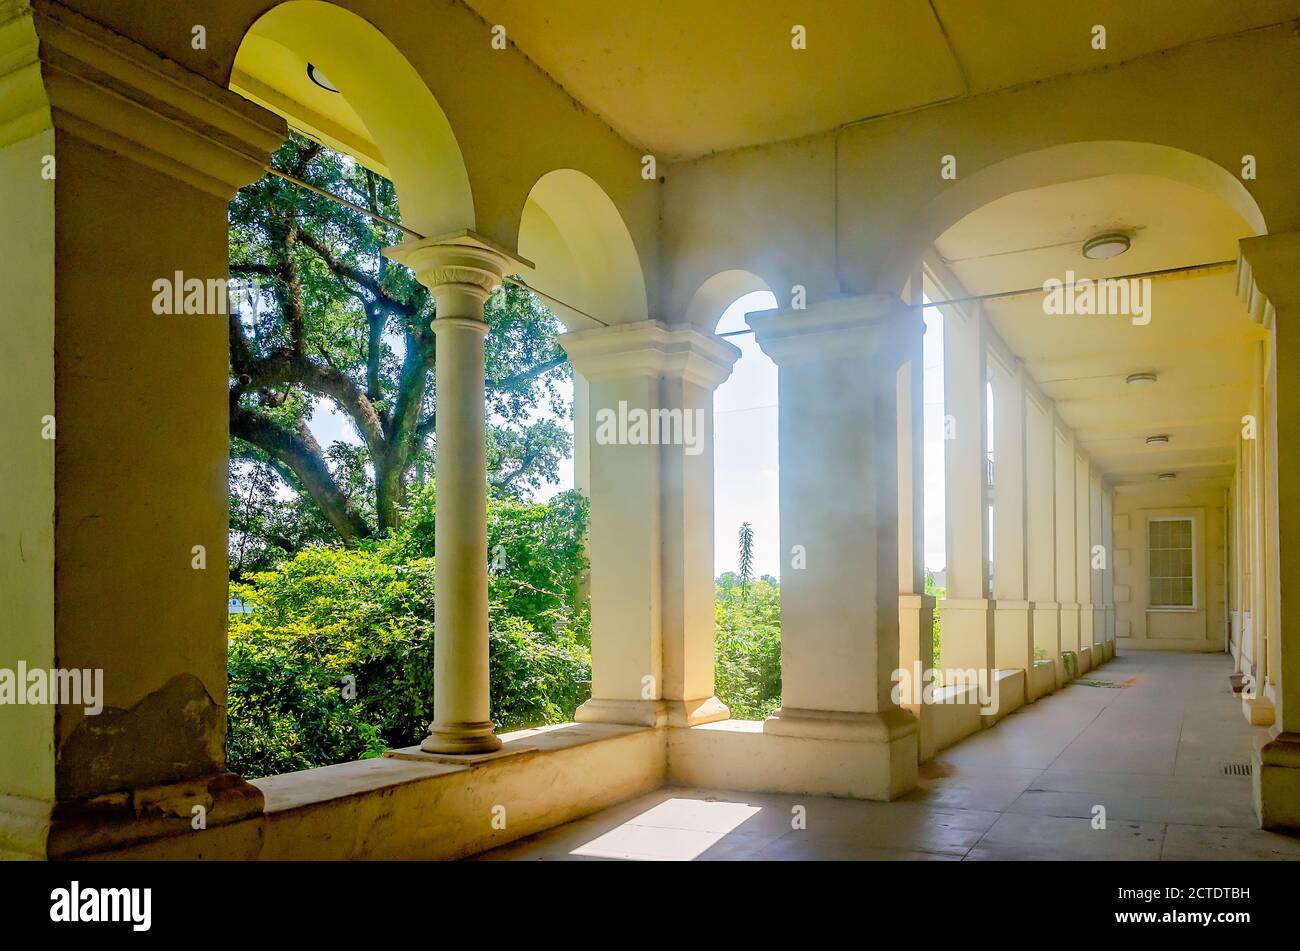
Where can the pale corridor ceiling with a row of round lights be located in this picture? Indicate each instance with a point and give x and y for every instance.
(1201, 341)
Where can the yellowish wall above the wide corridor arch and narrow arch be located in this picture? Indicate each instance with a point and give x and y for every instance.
(852, 211)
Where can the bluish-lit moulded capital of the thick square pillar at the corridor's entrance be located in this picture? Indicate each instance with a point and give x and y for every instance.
(873, 324)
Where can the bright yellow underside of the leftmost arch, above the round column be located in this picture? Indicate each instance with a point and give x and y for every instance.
(406, 132)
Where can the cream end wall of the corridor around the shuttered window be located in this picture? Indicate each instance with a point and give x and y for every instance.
(1202, 629)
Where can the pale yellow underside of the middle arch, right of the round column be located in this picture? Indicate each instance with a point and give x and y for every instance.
(583, 253)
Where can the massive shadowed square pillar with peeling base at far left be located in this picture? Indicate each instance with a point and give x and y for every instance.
(115, 440)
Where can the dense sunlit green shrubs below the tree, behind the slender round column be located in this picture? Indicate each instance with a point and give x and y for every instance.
(331, 616)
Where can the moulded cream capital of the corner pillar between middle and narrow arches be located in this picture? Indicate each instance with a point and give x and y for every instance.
(651, 349)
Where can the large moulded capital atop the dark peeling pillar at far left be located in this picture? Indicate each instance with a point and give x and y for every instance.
(71, 73)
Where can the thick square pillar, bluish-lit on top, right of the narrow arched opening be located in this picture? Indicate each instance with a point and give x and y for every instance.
(838, 376)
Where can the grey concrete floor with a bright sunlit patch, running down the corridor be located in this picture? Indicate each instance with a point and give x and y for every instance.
(1151, 750)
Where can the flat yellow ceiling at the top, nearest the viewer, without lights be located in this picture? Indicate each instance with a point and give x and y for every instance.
(690, 77)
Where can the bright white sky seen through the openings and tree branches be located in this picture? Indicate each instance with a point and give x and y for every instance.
(747, 468)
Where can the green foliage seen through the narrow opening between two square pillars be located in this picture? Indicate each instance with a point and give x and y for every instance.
(748, 646)
